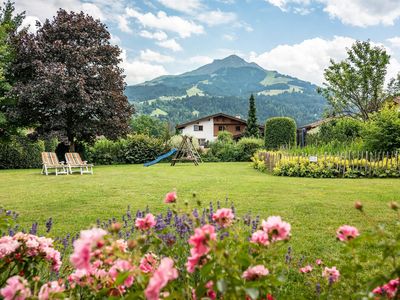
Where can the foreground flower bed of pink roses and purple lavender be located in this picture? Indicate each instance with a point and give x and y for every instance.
(192, 255)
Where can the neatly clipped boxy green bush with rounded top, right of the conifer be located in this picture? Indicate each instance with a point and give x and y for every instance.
(280, 132)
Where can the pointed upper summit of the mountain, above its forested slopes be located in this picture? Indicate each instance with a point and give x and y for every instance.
(231, 61)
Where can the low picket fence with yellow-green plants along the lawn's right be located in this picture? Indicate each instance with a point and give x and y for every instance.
(347, 164)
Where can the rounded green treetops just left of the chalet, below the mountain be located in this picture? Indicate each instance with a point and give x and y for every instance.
(150, 126)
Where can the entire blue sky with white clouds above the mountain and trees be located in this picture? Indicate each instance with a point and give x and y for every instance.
(294, 37)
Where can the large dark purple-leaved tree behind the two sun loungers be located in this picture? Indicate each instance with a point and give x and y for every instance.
(68, 80)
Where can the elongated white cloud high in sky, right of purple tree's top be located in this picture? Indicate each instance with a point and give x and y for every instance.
(162, 21)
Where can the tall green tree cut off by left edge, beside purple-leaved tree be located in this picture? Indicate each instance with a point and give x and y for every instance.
(9, 22)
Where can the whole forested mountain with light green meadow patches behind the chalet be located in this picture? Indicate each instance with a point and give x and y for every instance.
(225, 86)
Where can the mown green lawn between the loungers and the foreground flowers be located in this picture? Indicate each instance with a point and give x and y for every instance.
(314, 207)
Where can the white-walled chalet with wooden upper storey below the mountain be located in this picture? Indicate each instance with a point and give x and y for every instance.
(206, 129)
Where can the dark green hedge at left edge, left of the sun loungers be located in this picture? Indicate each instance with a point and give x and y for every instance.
(21, 153)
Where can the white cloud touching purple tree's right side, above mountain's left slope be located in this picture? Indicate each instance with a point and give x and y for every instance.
(137, 71)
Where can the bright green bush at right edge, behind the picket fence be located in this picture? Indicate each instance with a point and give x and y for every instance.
(382, 131)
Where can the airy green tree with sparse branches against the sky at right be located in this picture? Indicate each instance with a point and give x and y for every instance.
(355, 86)
